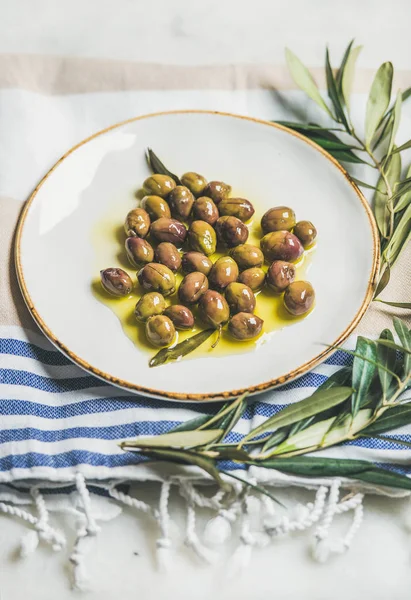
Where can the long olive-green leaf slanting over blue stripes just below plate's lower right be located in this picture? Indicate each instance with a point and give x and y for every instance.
(320, 401)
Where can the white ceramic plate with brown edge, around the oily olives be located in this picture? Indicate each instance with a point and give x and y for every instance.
(56, 260)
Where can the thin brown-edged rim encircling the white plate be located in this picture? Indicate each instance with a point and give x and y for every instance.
(215, 396)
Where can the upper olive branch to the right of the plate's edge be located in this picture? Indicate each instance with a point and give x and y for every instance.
(392, 198)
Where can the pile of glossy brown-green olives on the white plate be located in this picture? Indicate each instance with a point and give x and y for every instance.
(178, 227)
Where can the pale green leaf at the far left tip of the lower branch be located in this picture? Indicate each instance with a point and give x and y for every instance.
(175, 439)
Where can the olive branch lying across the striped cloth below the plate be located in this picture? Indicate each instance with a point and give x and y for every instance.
(363, 400)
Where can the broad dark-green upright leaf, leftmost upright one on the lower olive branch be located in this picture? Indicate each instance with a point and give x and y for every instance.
(362, 372)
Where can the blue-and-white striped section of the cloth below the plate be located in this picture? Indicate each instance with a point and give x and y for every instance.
(52, 423)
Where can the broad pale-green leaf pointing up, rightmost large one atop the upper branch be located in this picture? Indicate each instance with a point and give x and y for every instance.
(378, 100)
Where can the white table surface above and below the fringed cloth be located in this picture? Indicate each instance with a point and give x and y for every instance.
(213, 32)
